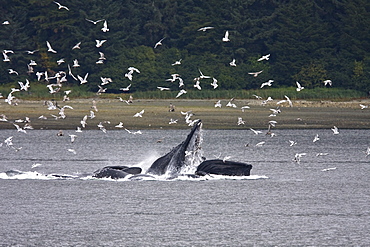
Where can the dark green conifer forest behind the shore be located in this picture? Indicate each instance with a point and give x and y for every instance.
(310, 41)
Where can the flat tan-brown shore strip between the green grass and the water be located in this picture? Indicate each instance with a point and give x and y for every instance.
(304, 114)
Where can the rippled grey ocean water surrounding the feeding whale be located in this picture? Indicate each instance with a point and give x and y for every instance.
(321, 201)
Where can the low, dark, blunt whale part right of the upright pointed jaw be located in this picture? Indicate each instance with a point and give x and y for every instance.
(220, 167)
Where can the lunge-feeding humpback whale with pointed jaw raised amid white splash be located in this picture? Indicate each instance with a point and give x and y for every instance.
(186, 158)
